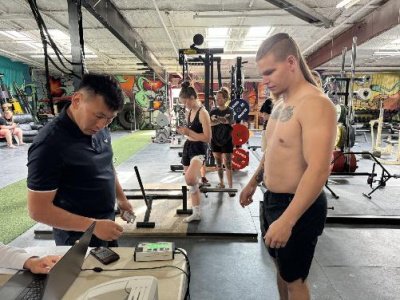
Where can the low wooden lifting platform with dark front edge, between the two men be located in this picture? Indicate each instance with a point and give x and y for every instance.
(218, 211)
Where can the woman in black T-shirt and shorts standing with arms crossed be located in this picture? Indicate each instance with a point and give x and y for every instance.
(221, 142)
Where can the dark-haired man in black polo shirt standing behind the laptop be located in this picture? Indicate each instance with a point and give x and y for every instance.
(71, 178)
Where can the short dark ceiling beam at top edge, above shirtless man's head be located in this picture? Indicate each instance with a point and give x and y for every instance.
(303, 12)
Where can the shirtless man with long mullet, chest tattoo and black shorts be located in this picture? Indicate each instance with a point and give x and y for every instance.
(300, 136)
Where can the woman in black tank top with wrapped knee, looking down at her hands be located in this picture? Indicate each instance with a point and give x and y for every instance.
(198, 134)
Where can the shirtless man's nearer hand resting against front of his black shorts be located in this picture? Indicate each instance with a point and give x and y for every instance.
(278, 233)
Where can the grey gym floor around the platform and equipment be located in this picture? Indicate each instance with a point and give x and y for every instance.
(351, 261)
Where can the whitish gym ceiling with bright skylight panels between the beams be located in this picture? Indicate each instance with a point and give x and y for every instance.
(178, 21)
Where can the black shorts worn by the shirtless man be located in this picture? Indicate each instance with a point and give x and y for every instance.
(294, 260)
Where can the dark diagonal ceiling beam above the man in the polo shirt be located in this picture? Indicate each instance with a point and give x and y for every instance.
(109, 15)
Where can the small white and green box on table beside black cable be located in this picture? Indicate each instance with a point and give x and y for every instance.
(147, 251)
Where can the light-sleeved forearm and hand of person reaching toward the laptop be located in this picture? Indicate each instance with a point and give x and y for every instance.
(17, 258)
